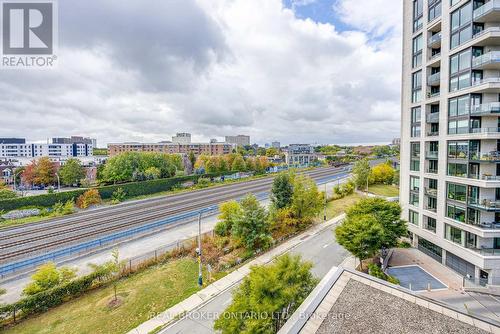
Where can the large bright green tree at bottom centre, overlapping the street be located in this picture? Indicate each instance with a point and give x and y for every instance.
(267, 297)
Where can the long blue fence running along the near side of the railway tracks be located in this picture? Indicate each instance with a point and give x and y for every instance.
(106, 240)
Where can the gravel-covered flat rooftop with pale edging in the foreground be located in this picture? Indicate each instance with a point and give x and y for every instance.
(346, 301)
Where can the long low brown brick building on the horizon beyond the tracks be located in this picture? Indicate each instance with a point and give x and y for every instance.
(172, 148)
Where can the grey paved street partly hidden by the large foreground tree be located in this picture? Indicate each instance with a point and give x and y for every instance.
(321, 249)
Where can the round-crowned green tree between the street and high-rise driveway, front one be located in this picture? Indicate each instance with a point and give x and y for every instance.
(360, 235)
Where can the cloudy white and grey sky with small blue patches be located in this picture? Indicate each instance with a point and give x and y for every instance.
(314, 71)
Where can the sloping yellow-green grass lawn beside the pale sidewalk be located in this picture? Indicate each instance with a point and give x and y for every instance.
(152, 290)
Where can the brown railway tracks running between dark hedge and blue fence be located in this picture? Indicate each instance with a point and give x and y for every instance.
(37, 238)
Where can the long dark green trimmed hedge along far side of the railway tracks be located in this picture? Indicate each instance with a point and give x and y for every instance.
(131, 189)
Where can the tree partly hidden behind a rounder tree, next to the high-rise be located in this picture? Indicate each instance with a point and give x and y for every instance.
(387, 214)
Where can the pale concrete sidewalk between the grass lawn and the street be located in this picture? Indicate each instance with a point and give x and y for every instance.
(205, 295)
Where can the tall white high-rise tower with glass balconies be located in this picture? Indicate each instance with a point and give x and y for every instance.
(450, 144)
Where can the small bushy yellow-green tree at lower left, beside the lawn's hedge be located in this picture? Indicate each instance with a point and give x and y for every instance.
(48, 276)
